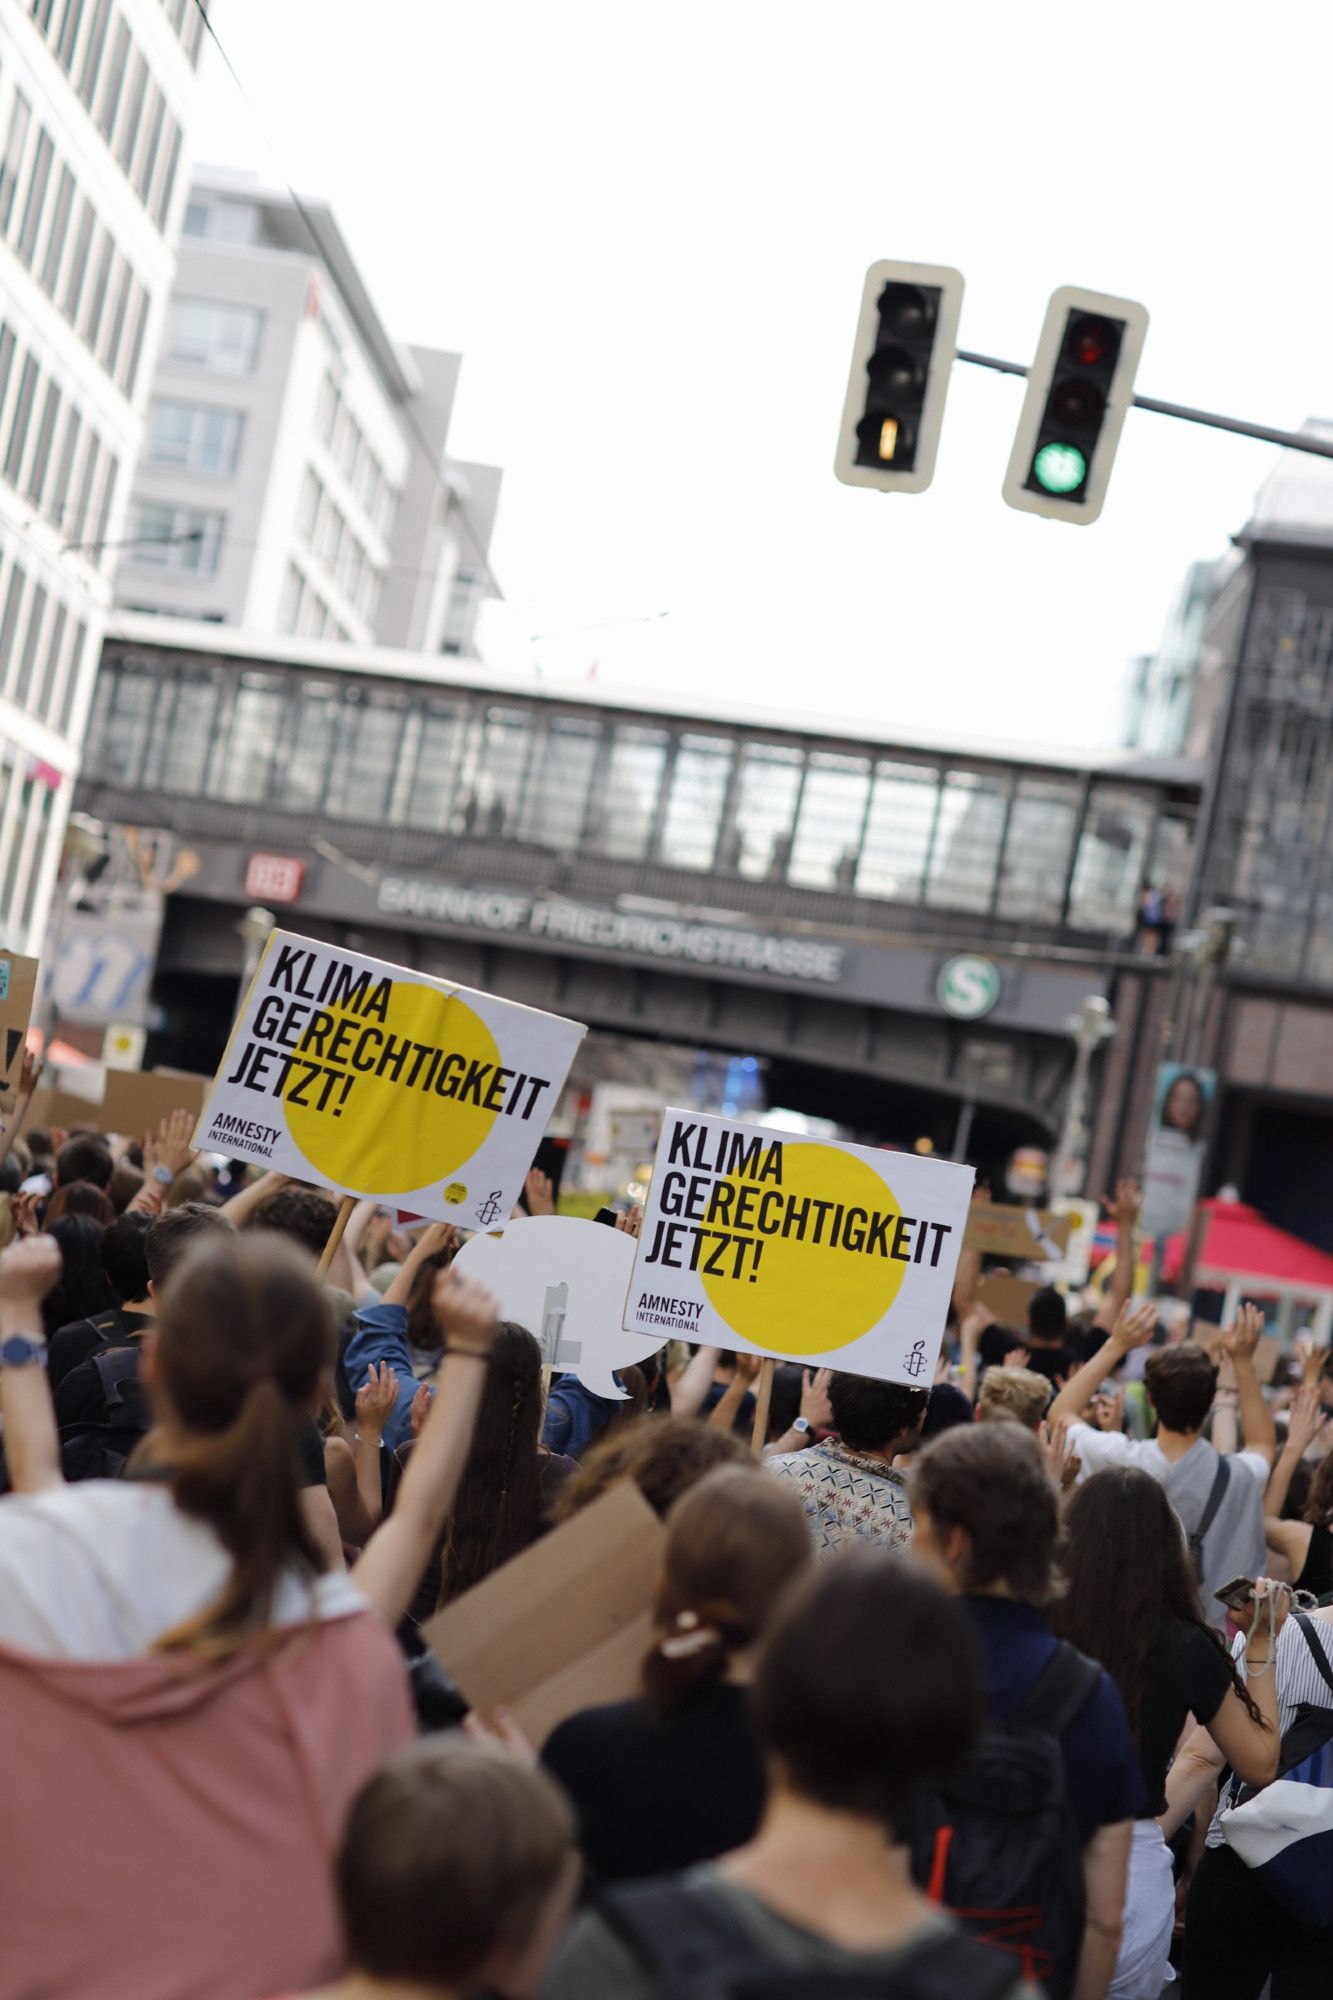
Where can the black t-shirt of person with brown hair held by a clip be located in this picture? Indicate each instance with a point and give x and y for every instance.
(657, 1793)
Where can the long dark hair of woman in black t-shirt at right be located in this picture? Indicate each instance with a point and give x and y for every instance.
(1128, 1573)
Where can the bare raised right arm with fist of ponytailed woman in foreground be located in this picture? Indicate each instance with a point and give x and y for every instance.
(399, 1551)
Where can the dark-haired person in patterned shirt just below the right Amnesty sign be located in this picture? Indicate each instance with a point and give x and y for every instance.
(848, 1485)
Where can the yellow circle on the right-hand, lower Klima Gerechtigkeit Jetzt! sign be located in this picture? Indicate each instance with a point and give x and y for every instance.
(806, 1297)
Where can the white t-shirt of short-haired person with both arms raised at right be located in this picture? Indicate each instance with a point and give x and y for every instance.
(1234, 1545)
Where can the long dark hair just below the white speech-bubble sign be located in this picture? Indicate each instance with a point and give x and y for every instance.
(499, 1507)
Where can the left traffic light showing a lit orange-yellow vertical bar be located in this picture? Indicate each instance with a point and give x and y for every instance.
(900, 377)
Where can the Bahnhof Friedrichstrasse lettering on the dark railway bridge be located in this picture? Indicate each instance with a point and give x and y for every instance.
(613, 931)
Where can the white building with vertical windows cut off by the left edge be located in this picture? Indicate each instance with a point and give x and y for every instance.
(95, 101)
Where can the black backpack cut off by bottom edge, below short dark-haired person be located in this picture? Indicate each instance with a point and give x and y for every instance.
(696, 1949)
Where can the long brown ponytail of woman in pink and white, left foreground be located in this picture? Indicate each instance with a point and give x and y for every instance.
(243, 1339)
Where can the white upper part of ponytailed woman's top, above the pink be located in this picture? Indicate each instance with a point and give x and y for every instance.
(103, 1569)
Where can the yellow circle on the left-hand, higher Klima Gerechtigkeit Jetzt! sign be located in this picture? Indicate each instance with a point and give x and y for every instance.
(381, 1127)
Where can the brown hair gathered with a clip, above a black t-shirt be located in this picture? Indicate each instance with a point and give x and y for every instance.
(734, 1545)
